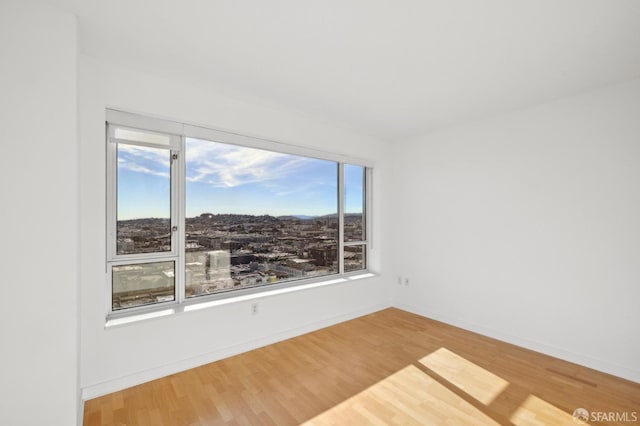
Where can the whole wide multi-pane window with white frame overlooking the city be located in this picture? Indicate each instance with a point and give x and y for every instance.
(196, 212)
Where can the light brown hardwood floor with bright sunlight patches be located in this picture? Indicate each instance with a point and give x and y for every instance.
(390, 367)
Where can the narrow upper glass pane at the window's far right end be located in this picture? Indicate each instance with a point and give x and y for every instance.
(354, 191)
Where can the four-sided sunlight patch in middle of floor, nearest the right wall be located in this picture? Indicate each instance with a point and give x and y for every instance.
(479, 383)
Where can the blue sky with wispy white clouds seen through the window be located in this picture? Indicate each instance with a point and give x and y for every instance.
(222, 178)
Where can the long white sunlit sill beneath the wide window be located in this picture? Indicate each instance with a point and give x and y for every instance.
(196, 305)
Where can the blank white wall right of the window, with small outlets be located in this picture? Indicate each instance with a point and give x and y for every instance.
(526, 227)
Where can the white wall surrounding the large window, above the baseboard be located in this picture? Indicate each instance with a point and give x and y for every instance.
(118, 357)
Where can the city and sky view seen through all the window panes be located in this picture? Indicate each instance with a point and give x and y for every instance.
(229, 251)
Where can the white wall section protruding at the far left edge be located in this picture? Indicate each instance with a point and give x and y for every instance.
(39, 193)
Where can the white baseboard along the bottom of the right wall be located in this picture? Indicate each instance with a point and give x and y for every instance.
(585, 361)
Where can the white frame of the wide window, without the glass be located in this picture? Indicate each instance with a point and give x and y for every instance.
(178, 133)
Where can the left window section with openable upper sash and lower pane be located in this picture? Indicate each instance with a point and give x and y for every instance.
(142, 246)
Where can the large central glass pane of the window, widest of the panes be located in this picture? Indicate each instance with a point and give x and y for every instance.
(256, 217)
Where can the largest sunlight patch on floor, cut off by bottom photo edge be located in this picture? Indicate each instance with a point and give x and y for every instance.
(408, 397)
